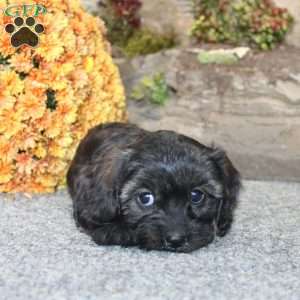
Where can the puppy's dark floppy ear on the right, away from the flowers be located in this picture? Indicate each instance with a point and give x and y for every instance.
(232, 184)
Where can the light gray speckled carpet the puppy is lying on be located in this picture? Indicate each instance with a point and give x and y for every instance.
(43, 255)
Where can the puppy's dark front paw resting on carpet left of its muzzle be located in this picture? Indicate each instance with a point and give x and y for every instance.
(114, 234)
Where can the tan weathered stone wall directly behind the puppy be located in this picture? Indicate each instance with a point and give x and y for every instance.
(251, 109)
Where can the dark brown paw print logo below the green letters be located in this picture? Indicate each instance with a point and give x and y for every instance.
(22, 34)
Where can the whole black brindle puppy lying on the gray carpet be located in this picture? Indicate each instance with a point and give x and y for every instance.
(157, 190)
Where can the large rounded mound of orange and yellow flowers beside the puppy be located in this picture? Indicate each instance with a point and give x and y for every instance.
(53, 93)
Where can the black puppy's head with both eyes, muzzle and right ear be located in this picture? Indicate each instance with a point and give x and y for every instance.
(175, 193)
